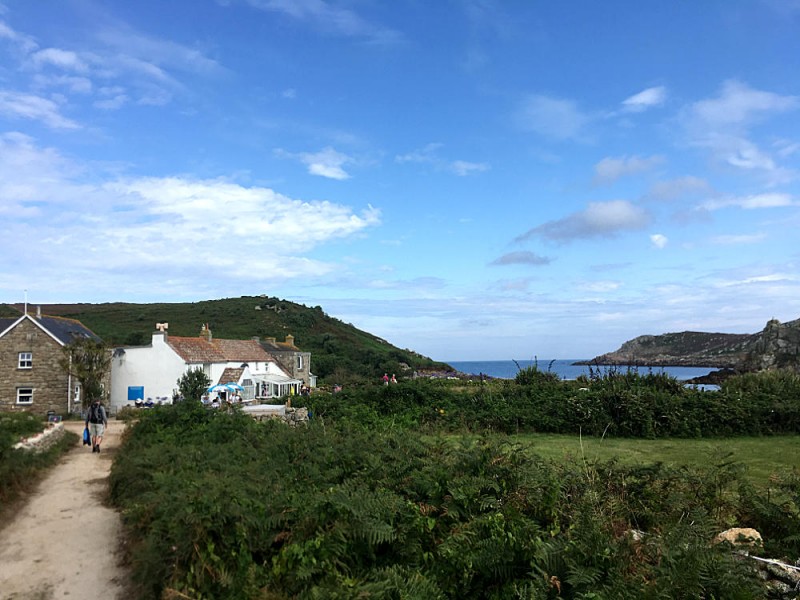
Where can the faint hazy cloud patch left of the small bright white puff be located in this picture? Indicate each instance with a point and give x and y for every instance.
(552, 117)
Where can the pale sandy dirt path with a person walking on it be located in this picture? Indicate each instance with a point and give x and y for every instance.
(63, 541)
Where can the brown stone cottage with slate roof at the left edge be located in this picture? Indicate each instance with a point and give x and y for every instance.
(31, 378)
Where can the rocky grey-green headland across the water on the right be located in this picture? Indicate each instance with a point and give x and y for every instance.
(776, 346)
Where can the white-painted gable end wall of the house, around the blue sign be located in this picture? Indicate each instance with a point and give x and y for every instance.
(156, 367)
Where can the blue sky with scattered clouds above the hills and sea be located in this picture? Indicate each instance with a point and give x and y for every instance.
(470, 179)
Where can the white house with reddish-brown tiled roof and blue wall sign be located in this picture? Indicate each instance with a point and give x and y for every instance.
(152, 372)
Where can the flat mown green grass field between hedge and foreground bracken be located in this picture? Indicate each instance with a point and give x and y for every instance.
(761, 456)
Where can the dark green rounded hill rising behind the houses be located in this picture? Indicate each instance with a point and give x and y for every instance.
(338, 350)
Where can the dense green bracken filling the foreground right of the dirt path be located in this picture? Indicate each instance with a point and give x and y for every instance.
(220, 506)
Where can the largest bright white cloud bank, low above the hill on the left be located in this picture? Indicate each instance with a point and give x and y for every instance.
(157, 229)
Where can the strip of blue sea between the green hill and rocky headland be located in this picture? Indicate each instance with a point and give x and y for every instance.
(507, 369)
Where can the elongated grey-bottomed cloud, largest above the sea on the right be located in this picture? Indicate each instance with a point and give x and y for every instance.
(598, 220)
